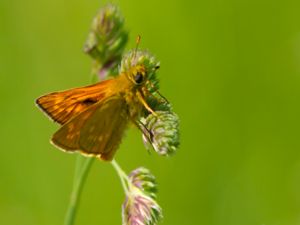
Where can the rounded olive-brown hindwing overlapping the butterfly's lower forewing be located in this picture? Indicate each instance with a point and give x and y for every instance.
(103, 131)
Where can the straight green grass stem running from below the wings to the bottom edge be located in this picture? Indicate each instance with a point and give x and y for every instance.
(81, 172)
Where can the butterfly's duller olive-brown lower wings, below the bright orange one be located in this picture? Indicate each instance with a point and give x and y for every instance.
(96, 131)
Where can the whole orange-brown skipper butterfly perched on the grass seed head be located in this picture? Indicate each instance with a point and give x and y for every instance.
(94, 117)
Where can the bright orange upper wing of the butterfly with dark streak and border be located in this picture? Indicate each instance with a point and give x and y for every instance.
(62, 106)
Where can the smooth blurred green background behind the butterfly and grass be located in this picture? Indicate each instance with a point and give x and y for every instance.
(231, 70)
